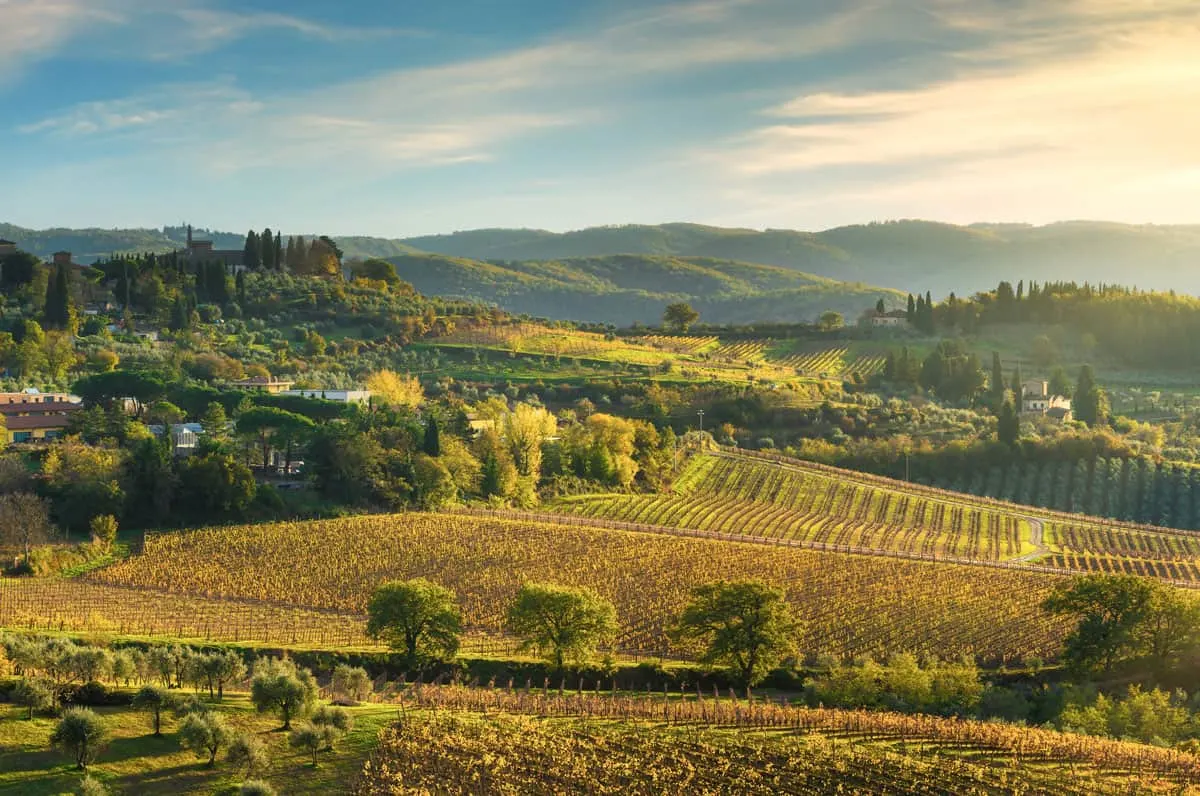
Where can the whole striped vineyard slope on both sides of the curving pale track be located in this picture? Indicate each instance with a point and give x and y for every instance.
(777, 499)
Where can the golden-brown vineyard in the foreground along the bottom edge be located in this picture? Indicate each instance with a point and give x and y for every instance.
(565, 744)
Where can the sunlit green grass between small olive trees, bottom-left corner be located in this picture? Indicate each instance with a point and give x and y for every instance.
(136, 763)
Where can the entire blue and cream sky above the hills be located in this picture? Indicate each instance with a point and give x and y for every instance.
(400, 118)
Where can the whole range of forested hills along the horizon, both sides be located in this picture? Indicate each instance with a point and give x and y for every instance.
(637, 267)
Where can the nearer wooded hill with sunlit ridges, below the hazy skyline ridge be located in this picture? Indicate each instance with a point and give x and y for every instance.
(627, 289)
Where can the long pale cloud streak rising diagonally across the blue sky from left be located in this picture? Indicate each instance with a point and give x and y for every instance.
(459, 112)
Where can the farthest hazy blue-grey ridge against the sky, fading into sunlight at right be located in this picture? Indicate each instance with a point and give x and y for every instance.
(902, 255)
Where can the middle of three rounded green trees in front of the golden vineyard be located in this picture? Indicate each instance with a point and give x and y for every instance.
(561, 623)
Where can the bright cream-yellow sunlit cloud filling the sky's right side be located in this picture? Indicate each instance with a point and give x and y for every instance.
(1082, 101)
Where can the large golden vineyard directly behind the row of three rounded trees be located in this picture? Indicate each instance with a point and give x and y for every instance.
(227, 583)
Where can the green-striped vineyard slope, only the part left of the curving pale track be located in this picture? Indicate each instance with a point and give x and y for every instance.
(757, 499)
